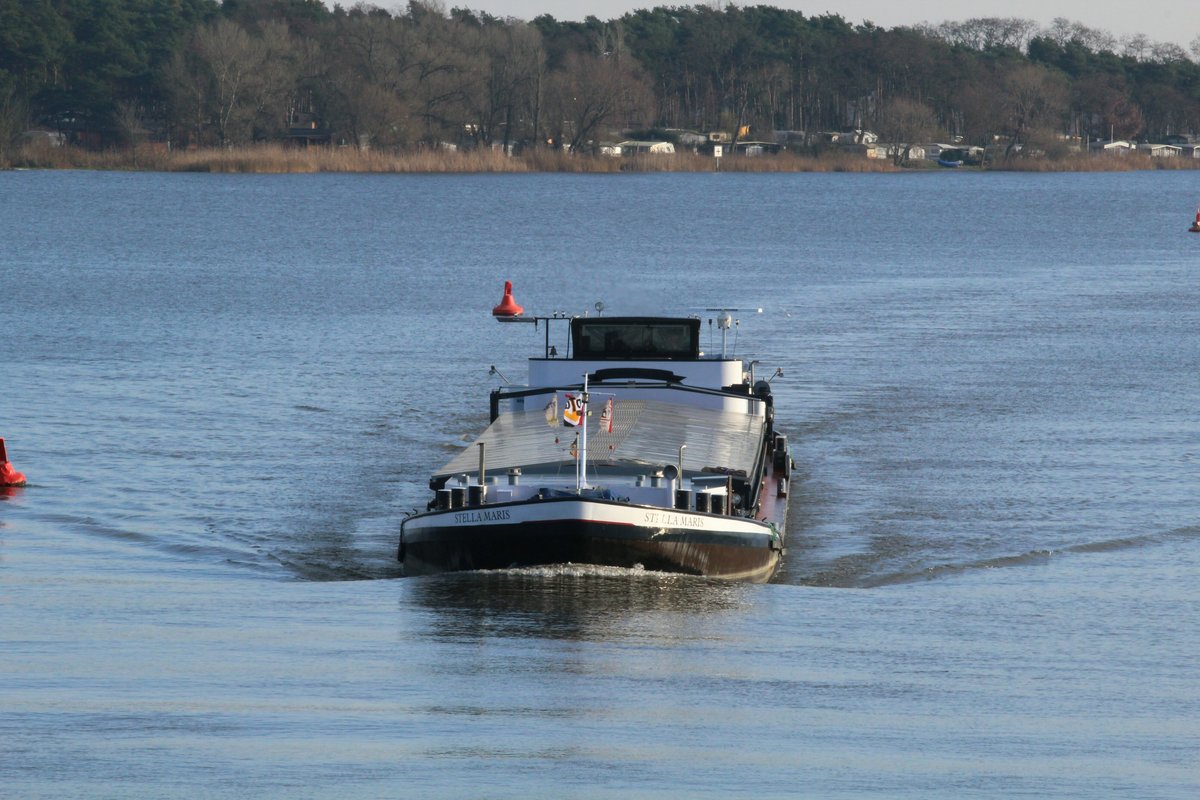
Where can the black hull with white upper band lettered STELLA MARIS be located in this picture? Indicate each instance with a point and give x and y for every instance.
(574, 531)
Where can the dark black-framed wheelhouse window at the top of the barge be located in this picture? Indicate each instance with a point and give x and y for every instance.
(633, 338)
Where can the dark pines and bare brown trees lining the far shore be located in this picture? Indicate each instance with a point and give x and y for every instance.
(196, 73)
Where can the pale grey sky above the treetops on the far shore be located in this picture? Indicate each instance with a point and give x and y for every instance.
(1174, 21)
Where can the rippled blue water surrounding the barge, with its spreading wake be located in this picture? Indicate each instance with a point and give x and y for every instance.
(227, 390)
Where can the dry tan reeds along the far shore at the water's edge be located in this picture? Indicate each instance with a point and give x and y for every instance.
(273, 159)
